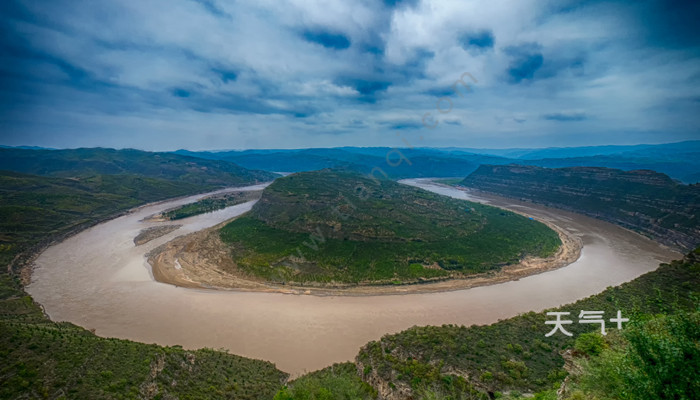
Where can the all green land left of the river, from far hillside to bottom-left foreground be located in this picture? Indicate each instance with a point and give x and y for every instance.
(43, 359)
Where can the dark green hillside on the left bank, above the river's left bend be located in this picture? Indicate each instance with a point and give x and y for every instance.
(35, 209)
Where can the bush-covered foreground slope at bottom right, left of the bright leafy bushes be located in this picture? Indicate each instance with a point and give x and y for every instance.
(514, 354)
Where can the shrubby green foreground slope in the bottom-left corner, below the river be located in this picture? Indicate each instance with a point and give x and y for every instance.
(43, 359)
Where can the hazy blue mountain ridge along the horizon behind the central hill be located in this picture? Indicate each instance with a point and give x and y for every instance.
(680, 161)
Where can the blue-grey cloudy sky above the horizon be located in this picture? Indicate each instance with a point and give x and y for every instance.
(233, 74)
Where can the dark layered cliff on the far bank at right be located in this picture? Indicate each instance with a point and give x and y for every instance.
(645, 201)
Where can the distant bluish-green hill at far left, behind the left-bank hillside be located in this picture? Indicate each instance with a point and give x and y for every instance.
(98, 161)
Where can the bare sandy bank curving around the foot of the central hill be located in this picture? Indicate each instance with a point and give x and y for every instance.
(201, 260)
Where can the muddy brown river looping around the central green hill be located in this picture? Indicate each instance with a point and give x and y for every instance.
(100, 280)
